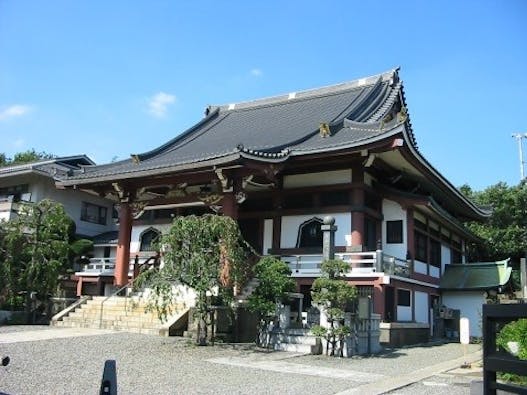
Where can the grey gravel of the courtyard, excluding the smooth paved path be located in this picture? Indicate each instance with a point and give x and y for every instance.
(155, 365)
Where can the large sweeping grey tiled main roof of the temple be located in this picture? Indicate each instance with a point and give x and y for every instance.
(268, 129)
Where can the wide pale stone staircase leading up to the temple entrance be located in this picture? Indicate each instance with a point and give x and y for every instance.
(122, 314)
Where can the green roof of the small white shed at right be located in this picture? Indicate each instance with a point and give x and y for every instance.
(475, 276)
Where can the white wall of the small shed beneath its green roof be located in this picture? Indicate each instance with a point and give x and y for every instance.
(470, 305)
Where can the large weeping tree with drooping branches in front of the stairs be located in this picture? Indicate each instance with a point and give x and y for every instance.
(205, 253)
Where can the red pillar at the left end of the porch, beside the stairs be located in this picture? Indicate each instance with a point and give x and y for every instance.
(122, 260)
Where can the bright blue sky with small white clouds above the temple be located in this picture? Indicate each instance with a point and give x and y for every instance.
(111, 78)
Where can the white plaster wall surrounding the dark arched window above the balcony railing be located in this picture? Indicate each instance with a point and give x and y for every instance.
(290, 225)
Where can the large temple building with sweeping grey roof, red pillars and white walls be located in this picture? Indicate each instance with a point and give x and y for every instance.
(279, 165)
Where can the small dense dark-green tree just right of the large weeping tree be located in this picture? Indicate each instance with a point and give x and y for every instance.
(274, 282)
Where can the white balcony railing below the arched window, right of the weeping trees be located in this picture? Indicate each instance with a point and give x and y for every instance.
(359, 263)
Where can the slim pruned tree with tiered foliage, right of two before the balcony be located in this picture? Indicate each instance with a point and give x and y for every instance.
(332, 294)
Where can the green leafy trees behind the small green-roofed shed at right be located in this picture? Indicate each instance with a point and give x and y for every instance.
(505, 233)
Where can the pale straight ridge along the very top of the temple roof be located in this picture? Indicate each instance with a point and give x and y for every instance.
(309, 93)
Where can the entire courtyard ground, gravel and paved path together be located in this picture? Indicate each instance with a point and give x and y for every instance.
(71, 361)
